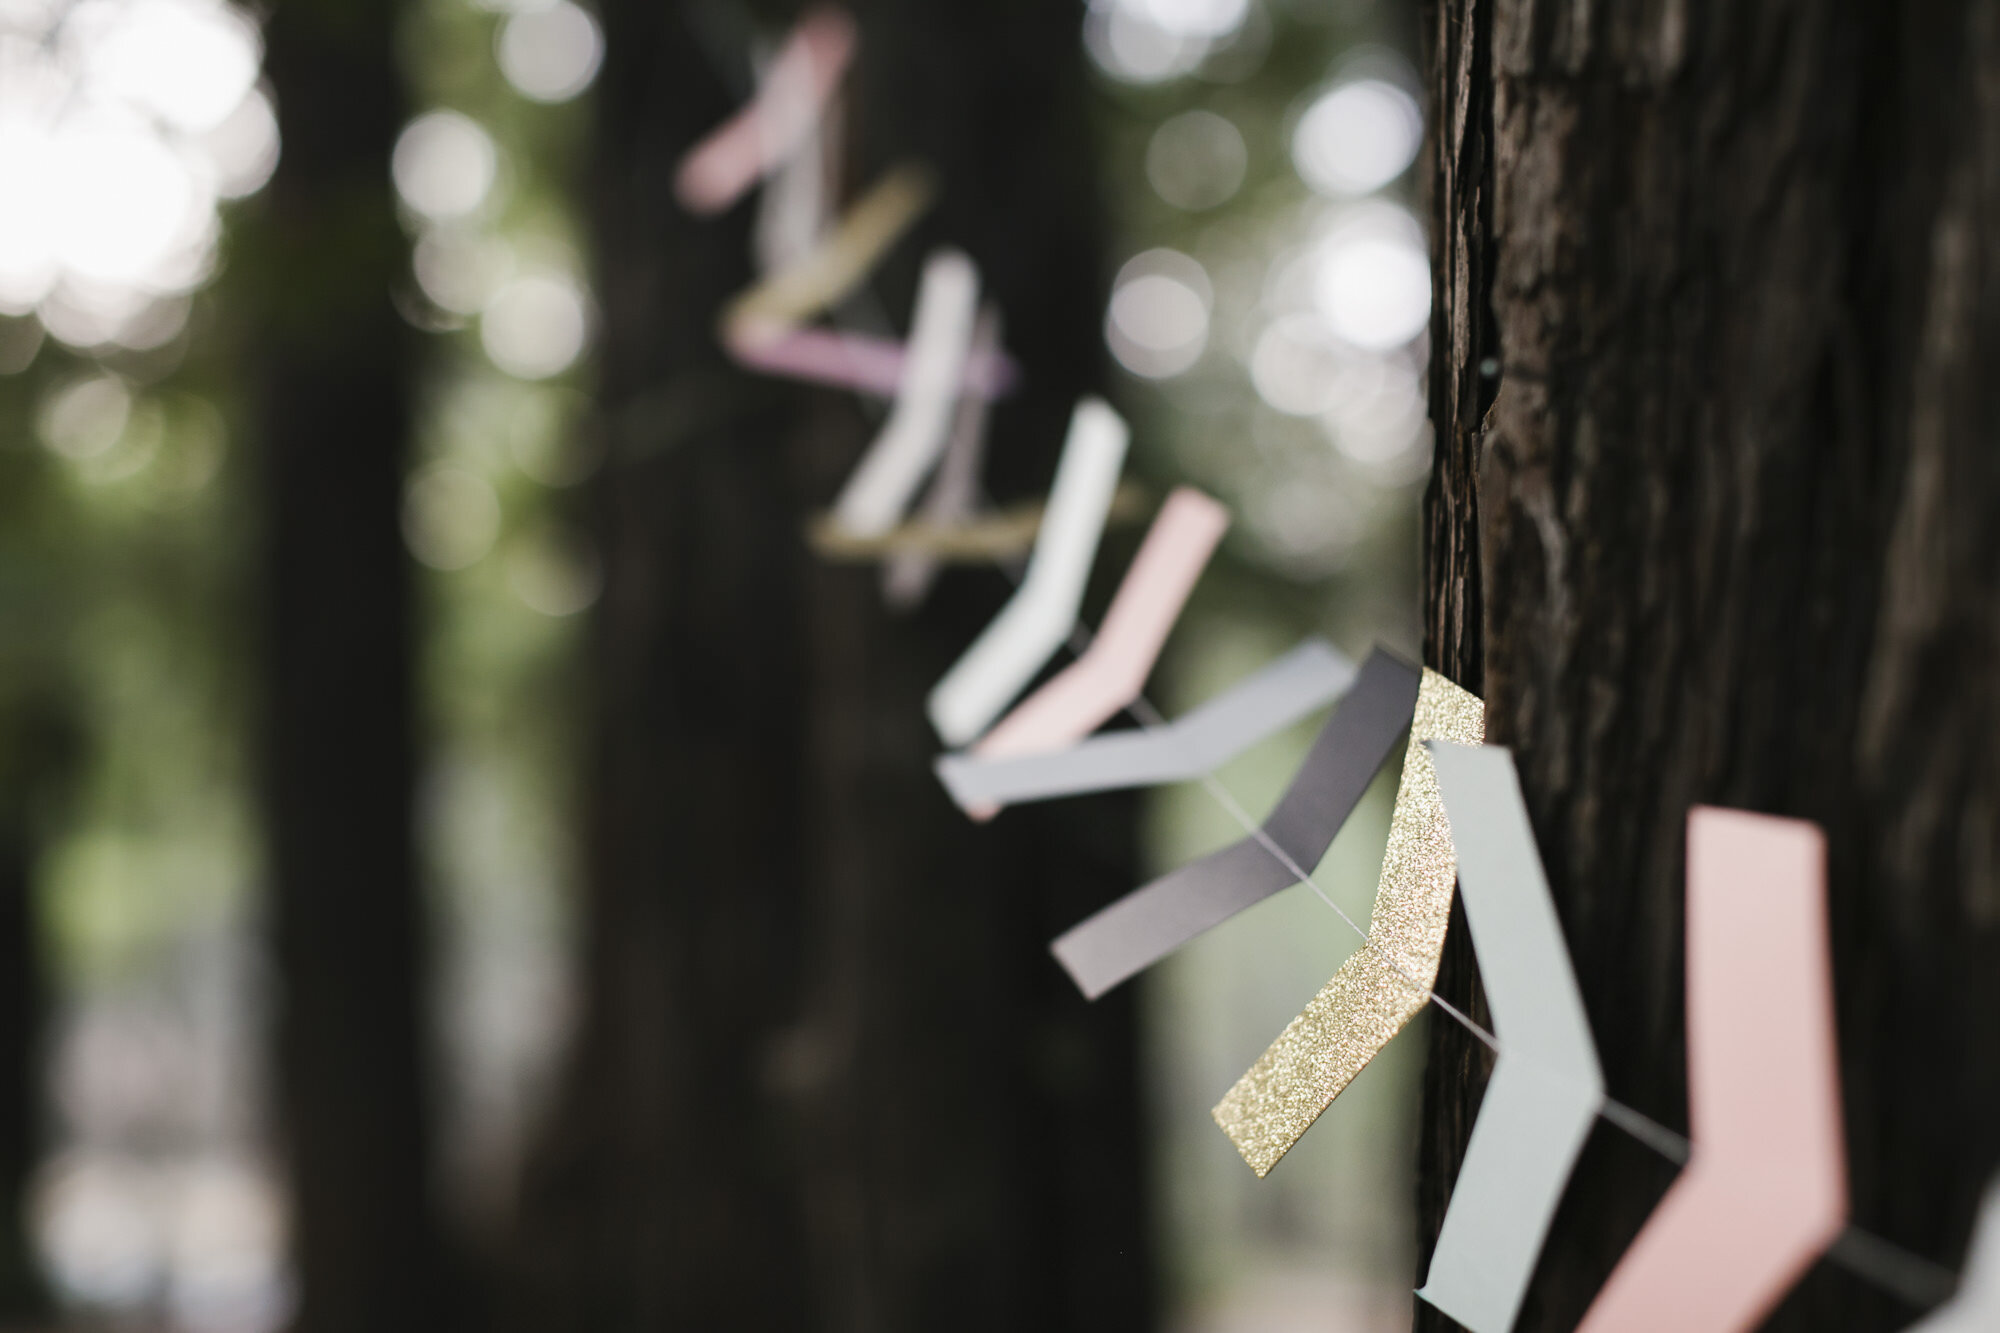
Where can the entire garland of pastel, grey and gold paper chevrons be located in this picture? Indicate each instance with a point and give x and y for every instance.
(1763, 1192)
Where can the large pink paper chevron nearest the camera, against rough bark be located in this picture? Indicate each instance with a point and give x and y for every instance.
(1765, 1190)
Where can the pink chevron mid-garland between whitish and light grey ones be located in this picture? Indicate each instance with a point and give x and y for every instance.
(1113, 672)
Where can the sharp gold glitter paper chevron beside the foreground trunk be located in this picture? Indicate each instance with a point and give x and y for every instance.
(1387, 982)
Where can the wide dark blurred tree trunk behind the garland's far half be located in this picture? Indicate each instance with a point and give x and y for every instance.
(827, 1074)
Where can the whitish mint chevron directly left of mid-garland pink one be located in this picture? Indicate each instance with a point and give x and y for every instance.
(1035, 623)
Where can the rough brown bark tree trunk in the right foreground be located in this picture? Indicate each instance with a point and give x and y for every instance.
(1715, 521)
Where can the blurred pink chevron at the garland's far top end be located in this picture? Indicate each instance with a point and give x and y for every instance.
(777, 121)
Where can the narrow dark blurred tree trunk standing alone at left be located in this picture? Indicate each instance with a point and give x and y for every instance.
(333, 369)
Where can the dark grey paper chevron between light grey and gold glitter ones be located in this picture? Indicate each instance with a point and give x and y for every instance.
(1149, 924)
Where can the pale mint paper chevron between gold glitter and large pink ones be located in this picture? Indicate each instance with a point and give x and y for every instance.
(1547, 1086)
